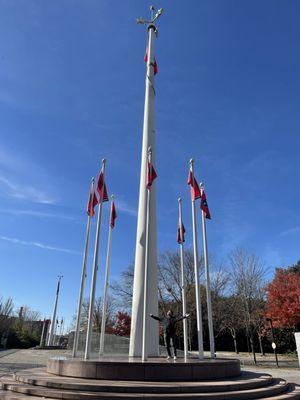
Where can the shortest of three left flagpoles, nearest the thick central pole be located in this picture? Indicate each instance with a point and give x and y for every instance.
(105, 291)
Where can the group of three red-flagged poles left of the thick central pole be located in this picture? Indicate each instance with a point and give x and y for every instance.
(94, 201)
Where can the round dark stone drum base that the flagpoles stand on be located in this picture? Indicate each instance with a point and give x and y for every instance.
(154, 369)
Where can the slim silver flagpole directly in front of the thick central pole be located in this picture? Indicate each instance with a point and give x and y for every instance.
(144, 349)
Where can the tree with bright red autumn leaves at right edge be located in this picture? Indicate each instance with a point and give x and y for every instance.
(283, 298)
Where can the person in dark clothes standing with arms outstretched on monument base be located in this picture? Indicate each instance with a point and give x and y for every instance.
(169, 326)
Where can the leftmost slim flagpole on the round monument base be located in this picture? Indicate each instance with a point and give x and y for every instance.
(83, 277)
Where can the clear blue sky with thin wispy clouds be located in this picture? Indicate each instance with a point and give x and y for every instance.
(72, 92)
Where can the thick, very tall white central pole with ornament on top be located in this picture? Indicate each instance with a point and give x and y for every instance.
(136, 333)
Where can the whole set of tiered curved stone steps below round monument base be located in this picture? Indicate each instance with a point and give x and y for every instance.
(261, 387)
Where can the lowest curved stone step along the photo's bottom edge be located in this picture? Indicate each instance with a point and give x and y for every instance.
(277, 387)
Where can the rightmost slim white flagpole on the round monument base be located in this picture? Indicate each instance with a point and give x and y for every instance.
(208, 294)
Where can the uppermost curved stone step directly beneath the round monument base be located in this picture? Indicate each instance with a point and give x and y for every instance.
(38, 377)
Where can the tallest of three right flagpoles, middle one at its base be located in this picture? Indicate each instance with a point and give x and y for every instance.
(197, 284)
